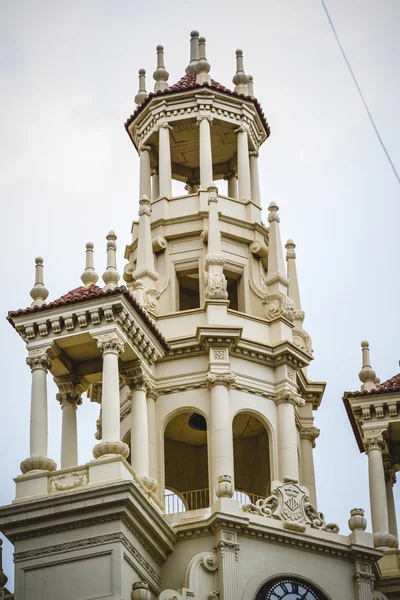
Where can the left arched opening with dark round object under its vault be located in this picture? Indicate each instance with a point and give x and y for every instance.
(186, 463)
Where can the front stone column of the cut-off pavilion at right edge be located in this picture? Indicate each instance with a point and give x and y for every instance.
(374, 445)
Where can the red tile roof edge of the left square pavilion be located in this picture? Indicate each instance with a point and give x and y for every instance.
(83, 294)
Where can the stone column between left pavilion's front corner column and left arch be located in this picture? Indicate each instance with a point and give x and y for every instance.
(137, 382)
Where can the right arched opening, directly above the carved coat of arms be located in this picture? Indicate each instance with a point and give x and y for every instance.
(251, 458)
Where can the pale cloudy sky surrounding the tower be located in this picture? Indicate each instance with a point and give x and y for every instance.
(69, 174)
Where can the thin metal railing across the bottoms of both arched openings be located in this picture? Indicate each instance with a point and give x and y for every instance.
(196, 499)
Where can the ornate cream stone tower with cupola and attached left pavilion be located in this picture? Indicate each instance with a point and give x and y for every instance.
(202, 484)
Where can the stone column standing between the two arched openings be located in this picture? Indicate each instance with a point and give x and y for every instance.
(221, 436)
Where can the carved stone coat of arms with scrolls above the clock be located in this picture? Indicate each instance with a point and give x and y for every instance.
(289, 502)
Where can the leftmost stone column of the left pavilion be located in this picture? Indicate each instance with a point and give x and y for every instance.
(39, 360)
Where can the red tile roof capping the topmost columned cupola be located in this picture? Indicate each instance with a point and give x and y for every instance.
(188, 82)
